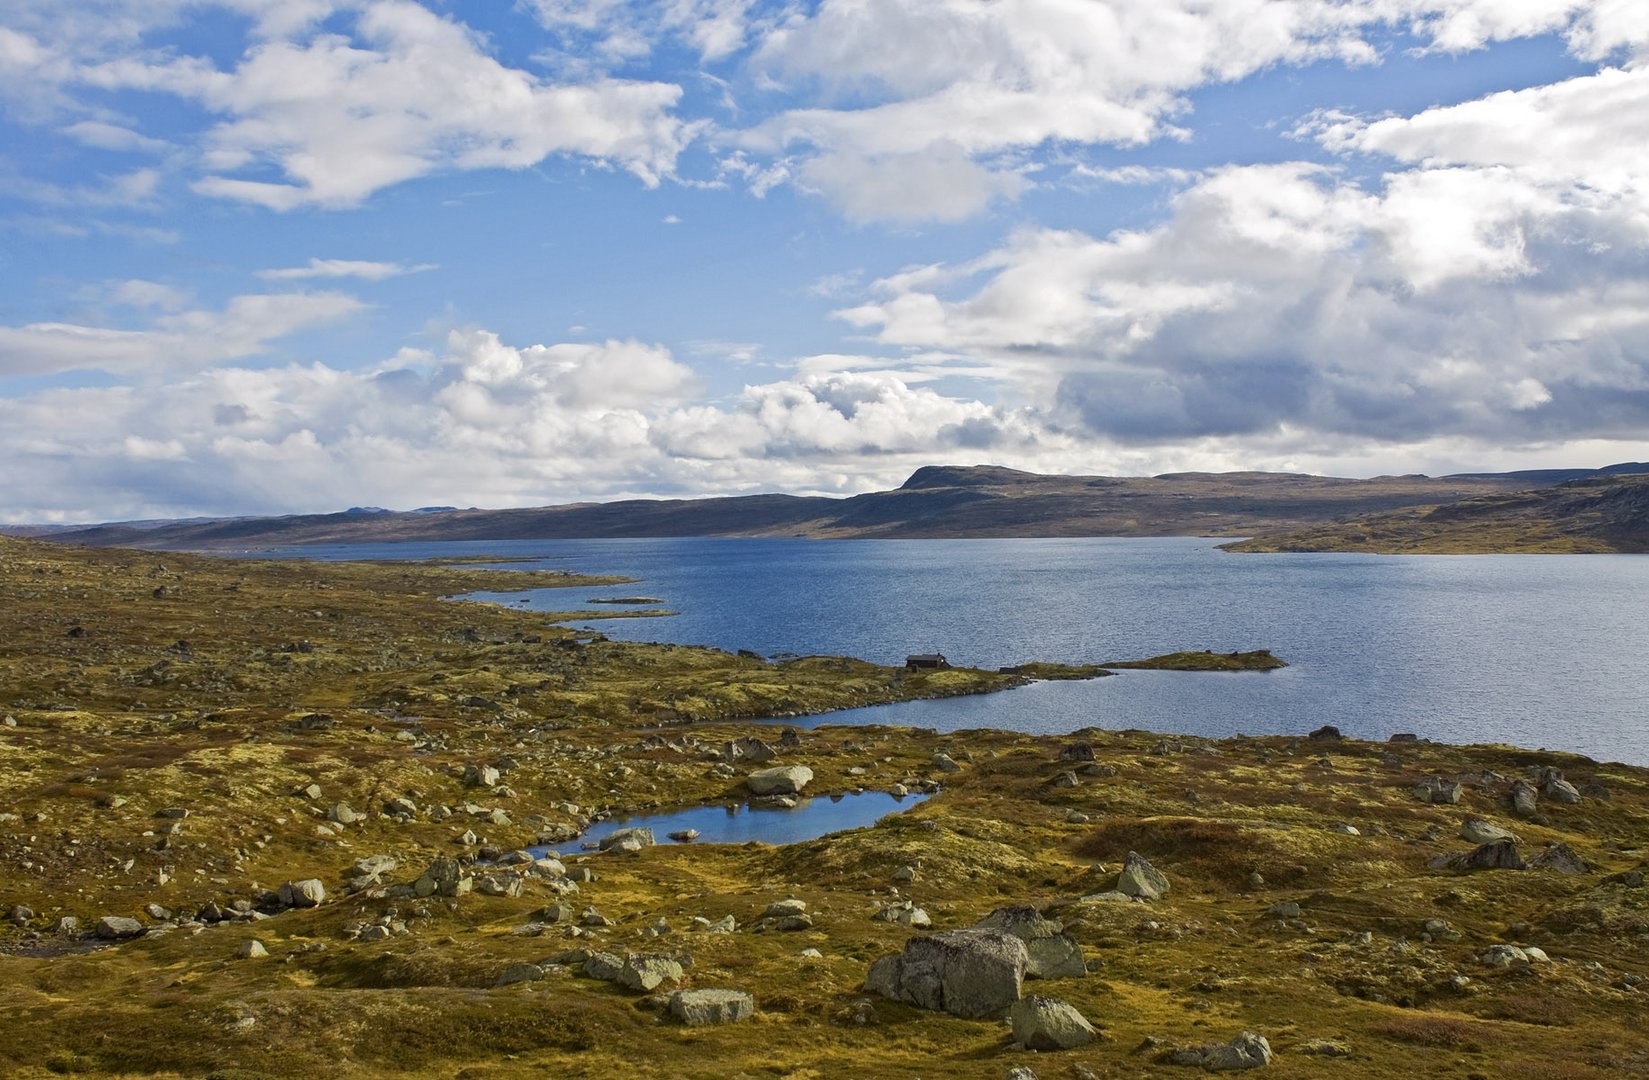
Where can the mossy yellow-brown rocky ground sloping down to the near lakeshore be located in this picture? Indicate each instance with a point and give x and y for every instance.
(278, 820)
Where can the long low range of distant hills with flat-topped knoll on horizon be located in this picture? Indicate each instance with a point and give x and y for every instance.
(936, 502)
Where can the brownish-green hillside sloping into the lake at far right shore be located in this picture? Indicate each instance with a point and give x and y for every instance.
(1600, 514)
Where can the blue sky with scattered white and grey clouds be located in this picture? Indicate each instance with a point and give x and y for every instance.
(289, 256)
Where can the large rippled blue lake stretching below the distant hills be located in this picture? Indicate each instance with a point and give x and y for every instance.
(1533, 650)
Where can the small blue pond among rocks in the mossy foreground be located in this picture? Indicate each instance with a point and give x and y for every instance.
(740, 824)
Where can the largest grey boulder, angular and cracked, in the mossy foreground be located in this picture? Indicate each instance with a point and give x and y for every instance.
(969, 974)
